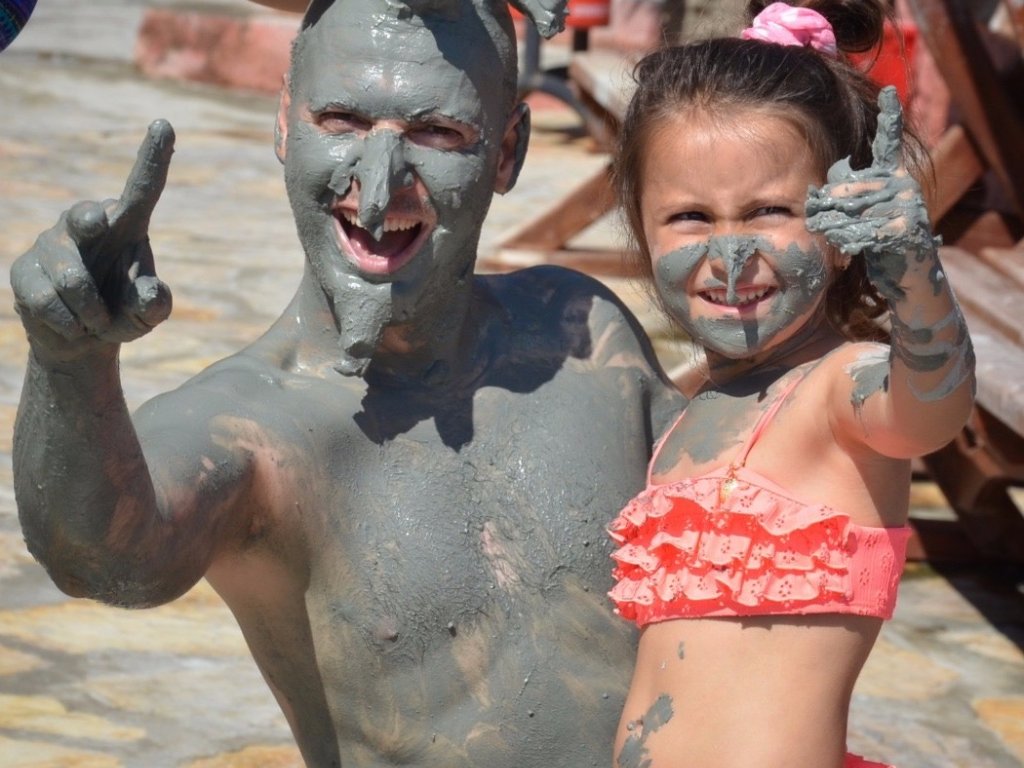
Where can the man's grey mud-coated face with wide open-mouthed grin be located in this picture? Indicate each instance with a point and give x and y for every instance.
(393, 144)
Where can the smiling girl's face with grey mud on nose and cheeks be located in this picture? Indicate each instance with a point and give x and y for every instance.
(723, 218)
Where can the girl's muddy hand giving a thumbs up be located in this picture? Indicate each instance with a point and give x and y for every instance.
(878, 211)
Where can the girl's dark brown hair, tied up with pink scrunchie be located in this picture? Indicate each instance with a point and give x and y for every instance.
(828, 100)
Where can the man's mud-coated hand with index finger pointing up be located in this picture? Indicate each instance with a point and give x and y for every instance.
(91, 281)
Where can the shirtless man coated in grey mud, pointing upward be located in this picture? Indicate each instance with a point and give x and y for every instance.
(401, 489)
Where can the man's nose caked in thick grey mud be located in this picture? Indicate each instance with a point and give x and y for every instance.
(381, 172)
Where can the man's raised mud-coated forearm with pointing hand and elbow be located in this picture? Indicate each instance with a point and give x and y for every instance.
(90, 508)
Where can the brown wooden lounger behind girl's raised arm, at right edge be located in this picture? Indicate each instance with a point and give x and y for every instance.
(982, 158)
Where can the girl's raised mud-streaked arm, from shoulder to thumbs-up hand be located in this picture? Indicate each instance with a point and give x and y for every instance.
(914, 397)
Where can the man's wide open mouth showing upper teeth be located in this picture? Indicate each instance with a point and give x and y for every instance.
(400, 241)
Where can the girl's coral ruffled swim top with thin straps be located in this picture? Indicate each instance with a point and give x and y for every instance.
(732, 543)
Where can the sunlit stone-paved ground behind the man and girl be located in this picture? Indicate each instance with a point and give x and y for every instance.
(87, 687)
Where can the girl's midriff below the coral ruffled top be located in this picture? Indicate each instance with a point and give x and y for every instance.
(739, 685)
